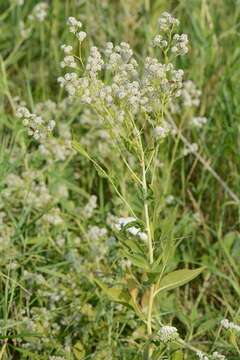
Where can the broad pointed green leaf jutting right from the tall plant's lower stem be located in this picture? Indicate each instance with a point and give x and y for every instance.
(178, 278)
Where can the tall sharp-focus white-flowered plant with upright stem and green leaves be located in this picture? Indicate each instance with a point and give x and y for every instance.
(131, 100)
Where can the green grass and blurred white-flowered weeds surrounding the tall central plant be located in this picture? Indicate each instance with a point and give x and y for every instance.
(49, 304)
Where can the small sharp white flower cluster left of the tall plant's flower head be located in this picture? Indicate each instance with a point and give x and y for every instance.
(37, 126)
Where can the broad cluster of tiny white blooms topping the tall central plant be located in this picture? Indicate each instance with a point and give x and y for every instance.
(129, 88)
